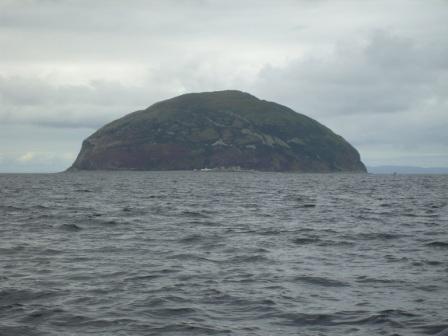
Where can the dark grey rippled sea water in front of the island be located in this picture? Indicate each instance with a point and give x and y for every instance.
(206, 253)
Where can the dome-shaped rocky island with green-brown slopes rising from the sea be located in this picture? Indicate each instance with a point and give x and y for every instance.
(213, 130)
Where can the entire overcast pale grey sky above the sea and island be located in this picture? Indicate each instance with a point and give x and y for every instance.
(375, 72)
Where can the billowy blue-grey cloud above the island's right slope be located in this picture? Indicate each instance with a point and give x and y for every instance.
(384, 74)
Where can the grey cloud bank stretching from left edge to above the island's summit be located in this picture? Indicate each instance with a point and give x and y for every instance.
(39, 101)
